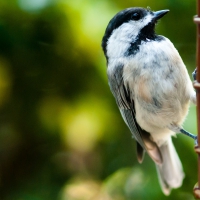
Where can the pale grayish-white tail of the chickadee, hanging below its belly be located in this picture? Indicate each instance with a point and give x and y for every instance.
(170, 172)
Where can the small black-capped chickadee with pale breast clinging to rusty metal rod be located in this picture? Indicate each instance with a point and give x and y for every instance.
(151, 86)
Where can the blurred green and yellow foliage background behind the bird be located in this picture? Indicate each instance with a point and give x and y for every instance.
(61, 134)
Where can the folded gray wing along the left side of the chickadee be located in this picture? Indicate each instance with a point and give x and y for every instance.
(127, 109)
